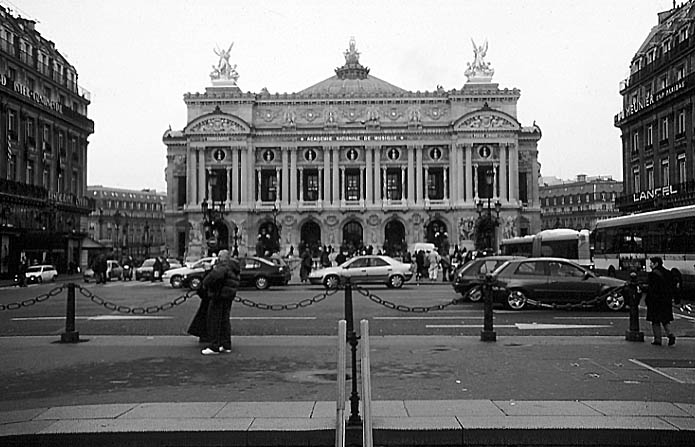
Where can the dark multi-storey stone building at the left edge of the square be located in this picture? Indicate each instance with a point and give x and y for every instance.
(44, 131)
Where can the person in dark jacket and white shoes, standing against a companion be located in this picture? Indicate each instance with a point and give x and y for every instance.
(221, 284)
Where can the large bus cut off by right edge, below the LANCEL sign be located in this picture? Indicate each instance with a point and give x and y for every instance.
(624, 244)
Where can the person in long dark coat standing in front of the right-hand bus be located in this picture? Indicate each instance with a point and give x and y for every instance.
(659, 294)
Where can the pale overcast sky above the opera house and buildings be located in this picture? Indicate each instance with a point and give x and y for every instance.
(138, 58)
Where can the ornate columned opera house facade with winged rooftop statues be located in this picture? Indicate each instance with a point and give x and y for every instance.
(352, 160)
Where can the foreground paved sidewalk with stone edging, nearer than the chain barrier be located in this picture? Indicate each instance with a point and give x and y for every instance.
(432, 390)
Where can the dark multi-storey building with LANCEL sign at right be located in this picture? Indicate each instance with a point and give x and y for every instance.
(657, 117)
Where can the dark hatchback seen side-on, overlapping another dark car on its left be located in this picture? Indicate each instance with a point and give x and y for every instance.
(553, 280)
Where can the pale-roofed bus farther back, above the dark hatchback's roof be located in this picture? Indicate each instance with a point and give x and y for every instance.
(559, 243)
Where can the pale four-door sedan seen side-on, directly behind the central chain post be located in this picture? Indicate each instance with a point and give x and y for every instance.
(364, 269)
